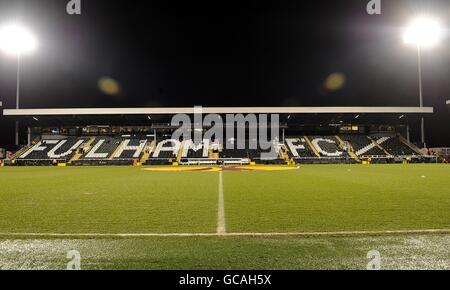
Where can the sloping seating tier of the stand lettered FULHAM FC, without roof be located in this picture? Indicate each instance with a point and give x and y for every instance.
(316, 149)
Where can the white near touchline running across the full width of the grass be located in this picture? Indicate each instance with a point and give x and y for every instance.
(300, 234)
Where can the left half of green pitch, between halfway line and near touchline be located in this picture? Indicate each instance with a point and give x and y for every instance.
(122, 200)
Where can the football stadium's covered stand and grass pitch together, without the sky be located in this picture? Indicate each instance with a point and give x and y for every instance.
(338, 185)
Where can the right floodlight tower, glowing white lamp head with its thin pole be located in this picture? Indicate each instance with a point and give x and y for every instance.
(423, 32)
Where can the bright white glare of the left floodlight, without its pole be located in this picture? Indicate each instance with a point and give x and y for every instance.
(17, 40)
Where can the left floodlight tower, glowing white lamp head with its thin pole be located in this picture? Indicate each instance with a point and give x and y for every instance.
(17, 40)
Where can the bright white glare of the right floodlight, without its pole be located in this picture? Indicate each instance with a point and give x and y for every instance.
(423, 32)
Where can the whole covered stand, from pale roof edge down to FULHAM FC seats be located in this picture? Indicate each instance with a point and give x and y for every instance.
(142, 136)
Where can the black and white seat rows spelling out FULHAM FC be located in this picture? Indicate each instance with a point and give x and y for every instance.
(295, 147)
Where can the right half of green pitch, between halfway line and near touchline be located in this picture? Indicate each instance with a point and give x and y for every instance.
(339, 198)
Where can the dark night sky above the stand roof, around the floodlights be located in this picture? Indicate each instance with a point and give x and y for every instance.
(227, 53)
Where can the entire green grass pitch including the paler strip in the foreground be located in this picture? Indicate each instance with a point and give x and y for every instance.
(101, 202)
